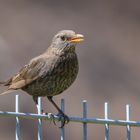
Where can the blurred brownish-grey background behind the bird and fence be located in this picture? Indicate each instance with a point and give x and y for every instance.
(109, 61)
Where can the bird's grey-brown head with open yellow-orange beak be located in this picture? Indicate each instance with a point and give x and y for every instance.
(66, 40)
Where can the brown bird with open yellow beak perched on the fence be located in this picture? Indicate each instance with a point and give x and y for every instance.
(50, 73)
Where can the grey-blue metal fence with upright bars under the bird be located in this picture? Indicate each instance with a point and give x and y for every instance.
(106, 121)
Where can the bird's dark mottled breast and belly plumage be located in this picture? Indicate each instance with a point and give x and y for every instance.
(59, 77)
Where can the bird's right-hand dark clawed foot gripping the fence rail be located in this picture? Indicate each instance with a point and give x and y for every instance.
(63, 118)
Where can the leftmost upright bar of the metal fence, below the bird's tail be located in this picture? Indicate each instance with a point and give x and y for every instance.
(17, 131)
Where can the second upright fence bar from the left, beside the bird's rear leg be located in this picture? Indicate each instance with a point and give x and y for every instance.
(39, 107)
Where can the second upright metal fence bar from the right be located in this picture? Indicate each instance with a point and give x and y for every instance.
(106, 125)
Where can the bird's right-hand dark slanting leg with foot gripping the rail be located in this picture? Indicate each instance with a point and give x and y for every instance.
(61, 113)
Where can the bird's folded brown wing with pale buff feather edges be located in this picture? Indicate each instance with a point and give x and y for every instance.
(27, 74)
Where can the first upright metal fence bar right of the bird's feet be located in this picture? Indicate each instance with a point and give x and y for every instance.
(85, 116)
